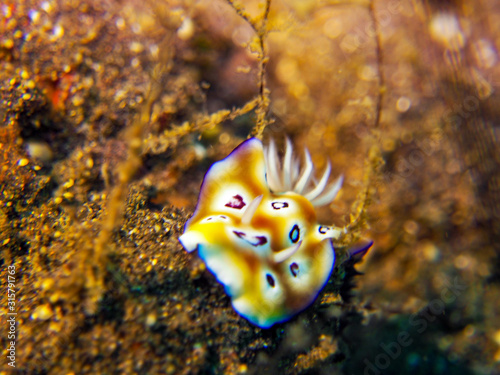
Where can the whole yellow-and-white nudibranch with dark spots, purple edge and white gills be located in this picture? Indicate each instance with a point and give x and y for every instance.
(255, 228)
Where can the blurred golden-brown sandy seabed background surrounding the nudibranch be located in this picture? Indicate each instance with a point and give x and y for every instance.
(414, 80)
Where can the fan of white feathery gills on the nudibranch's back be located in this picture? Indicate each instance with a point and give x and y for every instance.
(292, 175)
